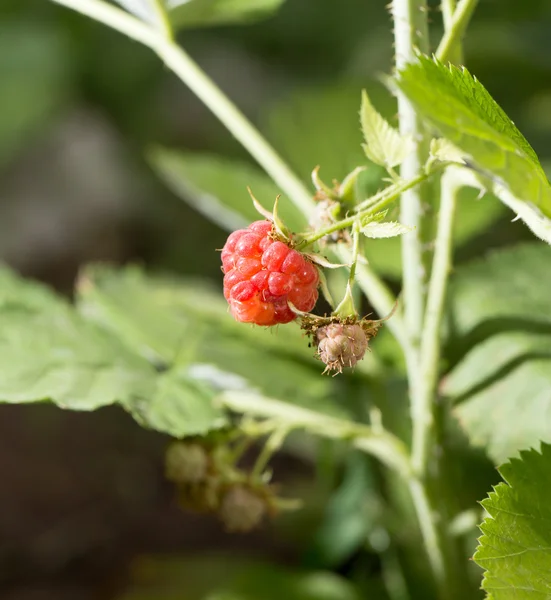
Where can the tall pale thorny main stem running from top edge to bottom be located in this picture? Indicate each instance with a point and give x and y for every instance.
(411, 33)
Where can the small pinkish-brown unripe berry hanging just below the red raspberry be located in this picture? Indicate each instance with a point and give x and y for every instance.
(341, 345)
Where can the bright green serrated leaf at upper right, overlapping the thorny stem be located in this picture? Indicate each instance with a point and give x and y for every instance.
(459, 107)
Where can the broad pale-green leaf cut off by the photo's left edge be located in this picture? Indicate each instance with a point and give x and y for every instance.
(50, 353)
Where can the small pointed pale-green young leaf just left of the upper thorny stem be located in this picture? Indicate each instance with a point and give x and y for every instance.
(384, 145)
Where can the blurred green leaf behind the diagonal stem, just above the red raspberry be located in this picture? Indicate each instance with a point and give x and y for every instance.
(217, 188)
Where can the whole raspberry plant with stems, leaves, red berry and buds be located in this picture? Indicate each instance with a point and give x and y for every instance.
(461, 360)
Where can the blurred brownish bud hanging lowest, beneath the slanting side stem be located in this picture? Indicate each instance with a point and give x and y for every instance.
(242, 509)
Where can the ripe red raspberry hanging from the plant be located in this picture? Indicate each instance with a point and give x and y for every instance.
(263, 274)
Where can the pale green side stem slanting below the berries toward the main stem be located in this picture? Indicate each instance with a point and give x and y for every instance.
(390, 450)
